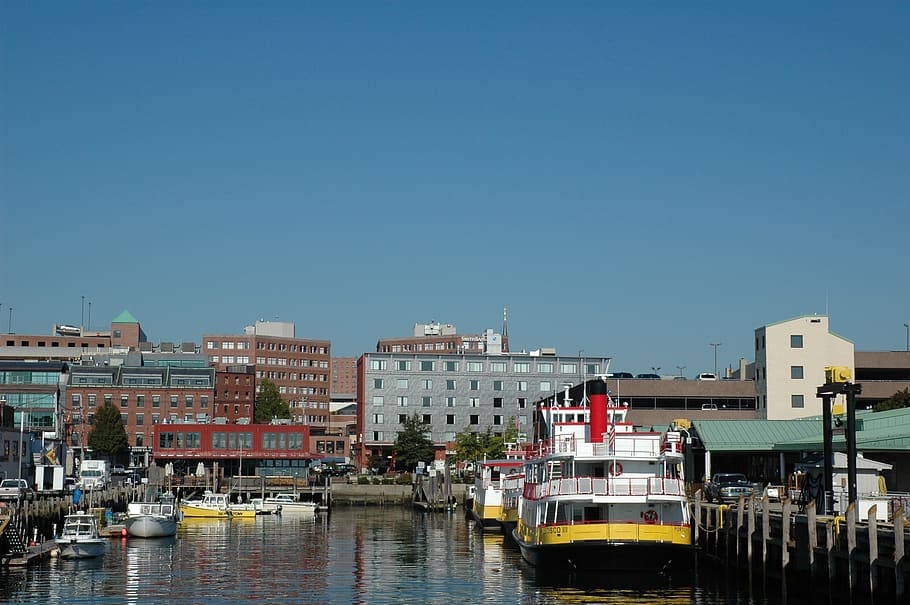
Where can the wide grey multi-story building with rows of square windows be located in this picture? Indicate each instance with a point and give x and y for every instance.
(457, 393)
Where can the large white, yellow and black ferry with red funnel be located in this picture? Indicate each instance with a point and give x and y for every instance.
(601, 496)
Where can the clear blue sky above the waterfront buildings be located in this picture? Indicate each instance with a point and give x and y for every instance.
(634, 180)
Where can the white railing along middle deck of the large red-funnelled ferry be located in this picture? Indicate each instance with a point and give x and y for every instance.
(603, 486)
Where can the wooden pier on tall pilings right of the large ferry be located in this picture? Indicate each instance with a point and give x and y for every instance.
(779, 548)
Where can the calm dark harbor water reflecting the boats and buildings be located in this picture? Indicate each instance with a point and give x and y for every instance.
(369, 555)
